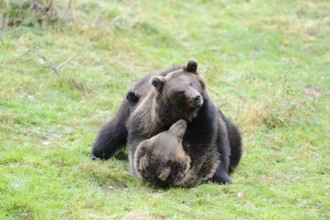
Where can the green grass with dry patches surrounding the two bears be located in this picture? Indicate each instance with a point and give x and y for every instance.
(266, 64)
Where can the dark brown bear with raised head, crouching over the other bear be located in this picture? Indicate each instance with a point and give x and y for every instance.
(156, 102)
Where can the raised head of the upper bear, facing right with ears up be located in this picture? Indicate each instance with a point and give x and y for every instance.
(180, 94)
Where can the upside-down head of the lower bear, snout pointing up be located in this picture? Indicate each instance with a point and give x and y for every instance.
(161, 160)
